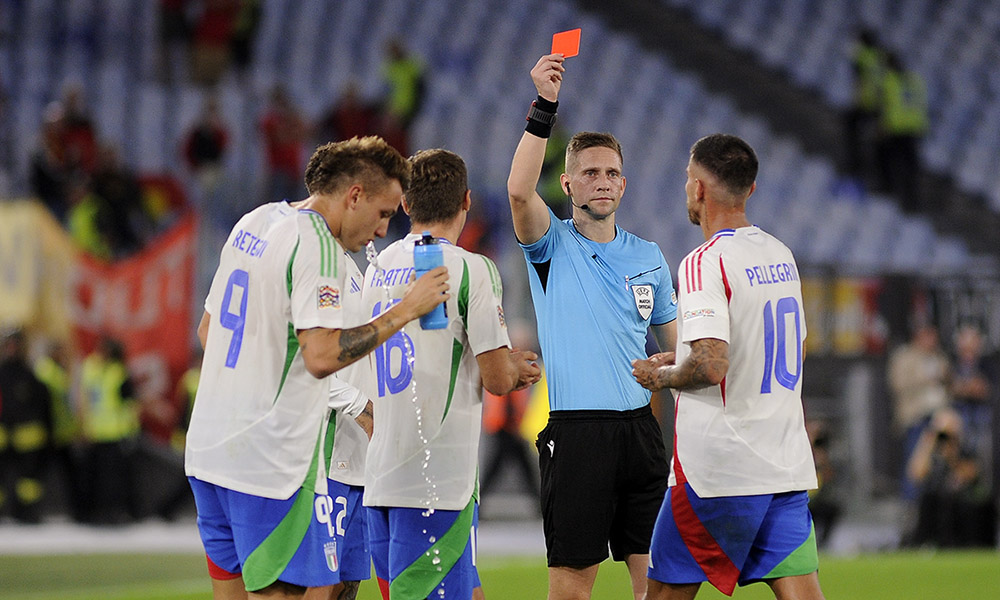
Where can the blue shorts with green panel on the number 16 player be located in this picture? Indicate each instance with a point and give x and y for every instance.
(418, 554)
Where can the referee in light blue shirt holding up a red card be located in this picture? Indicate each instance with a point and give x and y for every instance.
(597, 290)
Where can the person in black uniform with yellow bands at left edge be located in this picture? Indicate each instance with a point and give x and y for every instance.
(25, 431)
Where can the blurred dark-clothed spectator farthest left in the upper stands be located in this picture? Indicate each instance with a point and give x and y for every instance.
(48, 171)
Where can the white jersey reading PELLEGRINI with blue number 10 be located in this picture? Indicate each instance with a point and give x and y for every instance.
(747, 435)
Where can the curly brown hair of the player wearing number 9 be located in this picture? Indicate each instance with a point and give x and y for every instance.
(370, 160)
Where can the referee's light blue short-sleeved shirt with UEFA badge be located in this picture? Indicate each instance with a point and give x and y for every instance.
(594, 303)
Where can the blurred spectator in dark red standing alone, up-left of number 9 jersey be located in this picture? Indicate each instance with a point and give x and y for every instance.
(205, 146)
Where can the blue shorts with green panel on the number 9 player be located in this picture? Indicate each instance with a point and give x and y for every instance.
(268, 540)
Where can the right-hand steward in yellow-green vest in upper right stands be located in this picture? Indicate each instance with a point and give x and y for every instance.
(904, 123)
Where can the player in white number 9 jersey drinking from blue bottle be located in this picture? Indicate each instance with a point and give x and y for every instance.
(273, 330)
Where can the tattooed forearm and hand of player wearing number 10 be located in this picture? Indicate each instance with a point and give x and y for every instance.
(707, 365)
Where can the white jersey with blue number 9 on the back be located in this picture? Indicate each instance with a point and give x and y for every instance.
(256, 426)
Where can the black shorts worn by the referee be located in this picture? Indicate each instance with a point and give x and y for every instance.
(604, 476)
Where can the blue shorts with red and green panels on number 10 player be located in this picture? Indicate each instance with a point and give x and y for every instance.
(732, 539)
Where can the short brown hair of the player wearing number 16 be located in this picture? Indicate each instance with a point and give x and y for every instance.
(437, 188)
